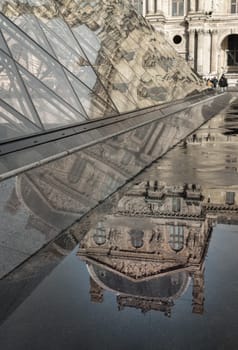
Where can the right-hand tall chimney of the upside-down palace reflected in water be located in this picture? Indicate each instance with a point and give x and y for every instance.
(198, 292)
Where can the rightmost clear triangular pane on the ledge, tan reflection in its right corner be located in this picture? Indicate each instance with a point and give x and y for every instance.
(93, 105)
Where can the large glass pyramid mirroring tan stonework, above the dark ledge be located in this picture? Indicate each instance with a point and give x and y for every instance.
(68, 61)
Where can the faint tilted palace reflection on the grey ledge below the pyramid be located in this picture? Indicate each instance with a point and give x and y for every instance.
(62, 191)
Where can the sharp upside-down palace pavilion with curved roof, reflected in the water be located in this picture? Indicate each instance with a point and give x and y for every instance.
(149, 248)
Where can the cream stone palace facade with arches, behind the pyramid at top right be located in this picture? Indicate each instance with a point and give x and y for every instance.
(204, 32)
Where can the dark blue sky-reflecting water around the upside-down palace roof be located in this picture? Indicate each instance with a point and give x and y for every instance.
(59, 314)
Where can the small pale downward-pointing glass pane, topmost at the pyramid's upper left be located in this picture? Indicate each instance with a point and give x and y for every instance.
(29, 24)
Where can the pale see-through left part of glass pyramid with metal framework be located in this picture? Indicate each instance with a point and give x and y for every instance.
(46, 81)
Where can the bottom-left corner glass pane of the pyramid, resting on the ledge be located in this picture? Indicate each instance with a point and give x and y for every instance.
(13, 125)
